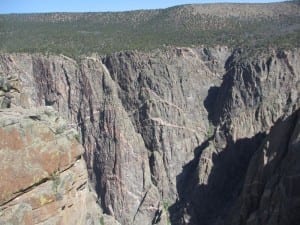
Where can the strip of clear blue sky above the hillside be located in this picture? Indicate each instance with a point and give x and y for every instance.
(31, 6)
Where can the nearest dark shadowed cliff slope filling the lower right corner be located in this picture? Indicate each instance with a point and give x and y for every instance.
(270, 192)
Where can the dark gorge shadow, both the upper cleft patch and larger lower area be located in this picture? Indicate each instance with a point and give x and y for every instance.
(207, 203)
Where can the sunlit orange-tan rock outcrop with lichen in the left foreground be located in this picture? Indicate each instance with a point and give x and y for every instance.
(43, 176)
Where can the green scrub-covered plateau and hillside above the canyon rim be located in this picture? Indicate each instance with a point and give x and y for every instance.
(254, 25)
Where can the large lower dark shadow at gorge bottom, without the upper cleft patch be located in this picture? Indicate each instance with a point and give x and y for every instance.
(209, 203)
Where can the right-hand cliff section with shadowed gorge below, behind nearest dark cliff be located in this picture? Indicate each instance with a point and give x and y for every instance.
(254, 94)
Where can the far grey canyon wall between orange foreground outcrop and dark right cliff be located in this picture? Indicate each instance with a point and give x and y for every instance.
(172, 129)
